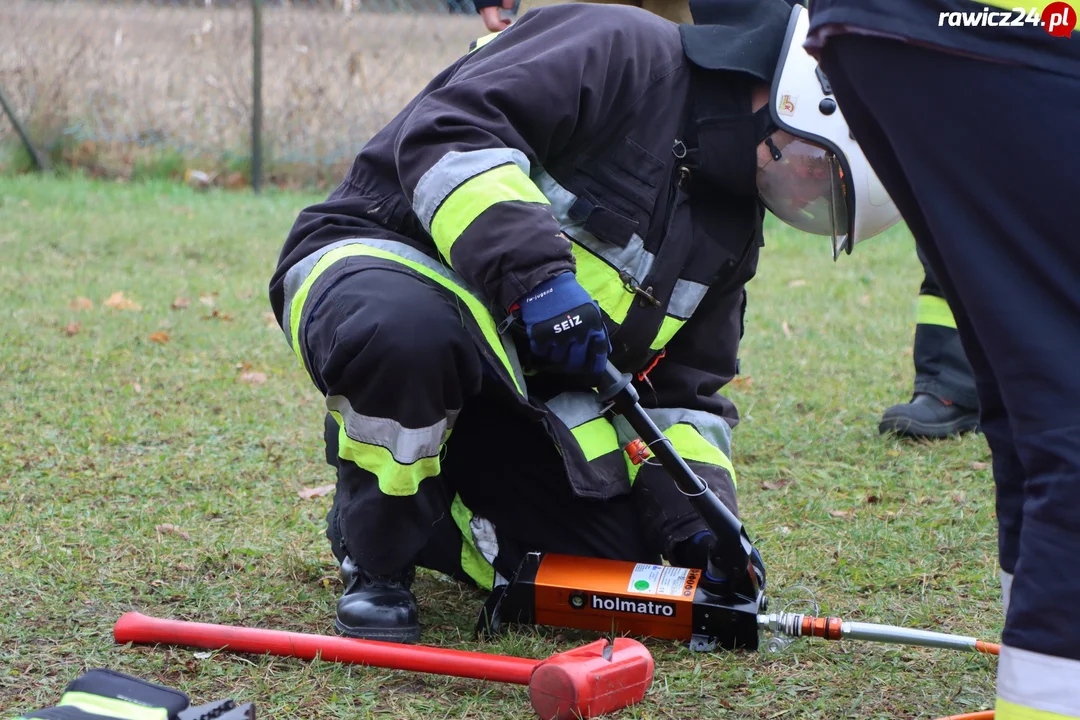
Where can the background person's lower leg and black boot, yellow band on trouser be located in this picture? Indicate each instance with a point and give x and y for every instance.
(944, 402)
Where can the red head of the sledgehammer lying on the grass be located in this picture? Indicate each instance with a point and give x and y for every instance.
(585, 684)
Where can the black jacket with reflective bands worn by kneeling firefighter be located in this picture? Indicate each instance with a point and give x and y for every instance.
(582, 139)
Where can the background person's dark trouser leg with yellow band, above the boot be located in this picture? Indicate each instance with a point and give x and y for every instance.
(941, 368)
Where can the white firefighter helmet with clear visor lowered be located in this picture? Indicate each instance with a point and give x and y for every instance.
(819, 180)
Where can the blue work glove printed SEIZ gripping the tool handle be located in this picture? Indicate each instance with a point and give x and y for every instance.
(565, 329)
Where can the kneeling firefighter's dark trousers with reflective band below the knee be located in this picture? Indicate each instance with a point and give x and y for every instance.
(384, 344)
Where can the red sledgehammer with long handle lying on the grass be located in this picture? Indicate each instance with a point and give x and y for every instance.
(584, 683)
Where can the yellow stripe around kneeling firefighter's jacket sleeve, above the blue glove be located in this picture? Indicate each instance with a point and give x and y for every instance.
(498, 185)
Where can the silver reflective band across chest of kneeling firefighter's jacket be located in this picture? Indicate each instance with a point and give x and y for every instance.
(633, 260)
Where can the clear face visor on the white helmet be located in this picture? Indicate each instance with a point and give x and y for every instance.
(805, 188)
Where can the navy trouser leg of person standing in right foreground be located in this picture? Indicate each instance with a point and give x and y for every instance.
(980, 160)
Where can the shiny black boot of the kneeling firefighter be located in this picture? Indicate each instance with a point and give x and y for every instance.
(377, 607)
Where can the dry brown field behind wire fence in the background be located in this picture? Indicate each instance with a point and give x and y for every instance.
(120, 86)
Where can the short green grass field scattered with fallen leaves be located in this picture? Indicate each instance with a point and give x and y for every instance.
(153, 446)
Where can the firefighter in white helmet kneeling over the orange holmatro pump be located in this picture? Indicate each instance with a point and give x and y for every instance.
(590, 184)
